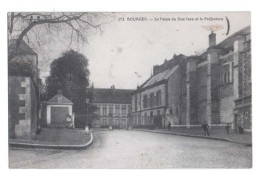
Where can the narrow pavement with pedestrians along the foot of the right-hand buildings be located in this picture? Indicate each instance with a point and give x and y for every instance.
(216, 133)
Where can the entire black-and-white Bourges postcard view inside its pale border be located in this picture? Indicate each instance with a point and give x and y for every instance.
(129, 90)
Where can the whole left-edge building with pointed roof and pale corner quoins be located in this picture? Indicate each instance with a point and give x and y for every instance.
(23, 93)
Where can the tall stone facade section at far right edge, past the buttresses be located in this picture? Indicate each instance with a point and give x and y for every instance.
(243, 98)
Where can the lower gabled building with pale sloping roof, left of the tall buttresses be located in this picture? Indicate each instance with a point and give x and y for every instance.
(152, 100)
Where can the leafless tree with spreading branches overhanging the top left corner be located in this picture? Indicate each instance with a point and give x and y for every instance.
(40, 28)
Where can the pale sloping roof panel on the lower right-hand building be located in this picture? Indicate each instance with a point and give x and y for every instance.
(160, 77)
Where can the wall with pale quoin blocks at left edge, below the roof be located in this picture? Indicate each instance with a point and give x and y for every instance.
(23, 112)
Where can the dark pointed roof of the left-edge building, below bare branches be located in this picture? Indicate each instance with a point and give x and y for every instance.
(24, 49)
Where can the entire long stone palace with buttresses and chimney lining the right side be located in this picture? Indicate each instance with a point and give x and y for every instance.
(214, 86)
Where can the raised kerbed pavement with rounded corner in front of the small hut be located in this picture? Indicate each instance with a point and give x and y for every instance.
(59, 138)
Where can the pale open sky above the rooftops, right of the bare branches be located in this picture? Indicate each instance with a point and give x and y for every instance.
(124, 54)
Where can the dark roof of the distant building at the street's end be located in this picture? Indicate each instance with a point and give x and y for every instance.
(112, 95)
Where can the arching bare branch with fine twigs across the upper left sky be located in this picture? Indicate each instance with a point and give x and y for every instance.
(80, 23)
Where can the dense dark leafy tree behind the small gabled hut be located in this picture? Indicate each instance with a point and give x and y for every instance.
(70, 74)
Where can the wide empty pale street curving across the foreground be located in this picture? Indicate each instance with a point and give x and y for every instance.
(140, 150)
